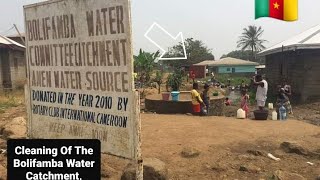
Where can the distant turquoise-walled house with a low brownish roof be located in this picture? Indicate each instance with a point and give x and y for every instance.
(230, 66)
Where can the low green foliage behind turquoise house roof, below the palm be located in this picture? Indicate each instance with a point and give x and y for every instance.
(245, 55)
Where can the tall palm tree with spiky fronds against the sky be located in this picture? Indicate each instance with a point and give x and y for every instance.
(251, 39)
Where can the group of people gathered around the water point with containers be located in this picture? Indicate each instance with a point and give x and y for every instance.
(200, 101)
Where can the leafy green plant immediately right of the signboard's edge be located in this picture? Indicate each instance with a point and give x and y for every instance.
(144, 65)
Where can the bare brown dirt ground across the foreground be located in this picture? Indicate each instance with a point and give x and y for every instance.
(222, 142)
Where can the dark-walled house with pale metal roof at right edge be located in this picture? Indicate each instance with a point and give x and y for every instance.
(298, 61)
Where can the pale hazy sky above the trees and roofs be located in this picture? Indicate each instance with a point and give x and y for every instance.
(218, 23)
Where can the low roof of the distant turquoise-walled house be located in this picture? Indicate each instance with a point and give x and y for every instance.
(228, 61)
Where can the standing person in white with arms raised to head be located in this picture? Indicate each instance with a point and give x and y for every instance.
(262, 90)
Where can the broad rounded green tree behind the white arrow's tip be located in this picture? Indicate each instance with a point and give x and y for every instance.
(196, 51)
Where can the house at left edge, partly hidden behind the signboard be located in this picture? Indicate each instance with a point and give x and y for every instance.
(12, 64)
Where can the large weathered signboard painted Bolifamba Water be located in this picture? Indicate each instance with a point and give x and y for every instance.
(80, 82)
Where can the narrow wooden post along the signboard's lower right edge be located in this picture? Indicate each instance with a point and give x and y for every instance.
(139, 161)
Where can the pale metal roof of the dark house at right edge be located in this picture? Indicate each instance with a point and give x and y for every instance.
(309, 39)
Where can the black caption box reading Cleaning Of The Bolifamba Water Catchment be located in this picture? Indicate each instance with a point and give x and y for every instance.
(65, 159)
